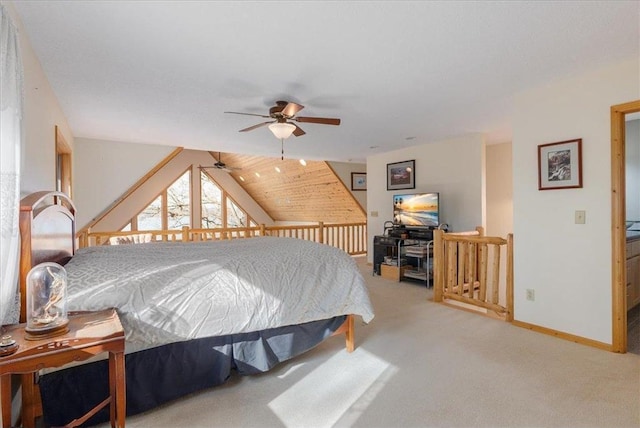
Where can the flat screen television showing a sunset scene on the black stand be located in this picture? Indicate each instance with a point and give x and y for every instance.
(416, 210)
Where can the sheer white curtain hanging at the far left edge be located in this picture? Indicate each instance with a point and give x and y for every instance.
(10, 142)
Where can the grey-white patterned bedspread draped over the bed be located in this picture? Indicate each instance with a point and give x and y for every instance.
(167, 292)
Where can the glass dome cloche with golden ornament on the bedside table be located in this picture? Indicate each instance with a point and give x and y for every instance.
(46, 301)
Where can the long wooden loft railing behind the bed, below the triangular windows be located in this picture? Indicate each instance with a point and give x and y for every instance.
(350, 237)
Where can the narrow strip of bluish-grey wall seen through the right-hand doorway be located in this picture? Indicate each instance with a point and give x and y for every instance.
(632, 169)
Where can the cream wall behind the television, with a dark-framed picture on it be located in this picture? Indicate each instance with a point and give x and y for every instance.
(454, 168)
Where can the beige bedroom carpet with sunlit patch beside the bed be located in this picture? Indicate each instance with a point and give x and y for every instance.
(421, 364)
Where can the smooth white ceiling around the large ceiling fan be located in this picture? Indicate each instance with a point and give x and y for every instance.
(396, 73)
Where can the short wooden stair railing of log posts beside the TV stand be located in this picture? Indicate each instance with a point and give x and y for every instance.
(467, 270)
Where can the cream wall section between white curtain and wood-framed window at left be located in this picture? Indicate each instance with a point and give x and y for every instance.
(42, 113)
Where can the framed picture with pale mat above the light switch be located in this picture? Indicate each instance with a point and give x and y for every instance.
(560, 165)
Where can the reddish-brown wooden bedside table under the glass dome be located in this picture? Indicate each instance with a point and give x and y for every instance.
(90, 333)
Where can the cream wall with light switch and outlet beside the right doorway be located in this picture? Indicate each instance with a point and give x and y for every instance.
(567, 264)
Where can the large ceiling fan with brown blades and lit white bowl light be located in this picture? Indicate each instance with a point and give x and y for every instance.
(281, 114)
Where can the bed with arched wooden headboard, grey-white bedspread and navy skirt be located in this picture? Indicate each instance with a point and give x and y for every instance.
(192, 312)
